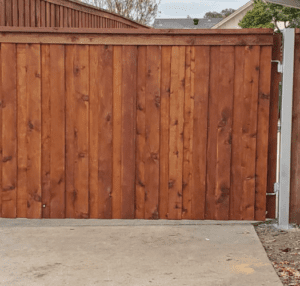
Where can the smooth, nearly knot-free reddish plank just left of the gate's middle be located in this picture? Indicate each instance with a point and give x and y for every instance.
(129, 66)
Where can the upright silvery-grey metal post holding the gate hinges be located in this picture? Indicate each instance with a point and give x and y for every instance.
(286, 128)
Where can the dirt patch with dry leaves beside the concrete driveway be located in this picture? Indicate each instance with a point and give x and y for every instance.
(283, 250)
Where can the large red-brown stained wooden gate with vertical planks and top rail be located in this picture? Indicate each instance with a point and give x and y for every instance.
(134, 123)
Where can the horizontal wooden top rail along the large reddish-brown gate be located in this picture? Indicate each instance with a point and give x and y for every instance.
(88, 36)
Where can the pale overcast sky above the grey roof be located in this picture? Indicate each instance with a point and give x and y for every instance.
(195, 9)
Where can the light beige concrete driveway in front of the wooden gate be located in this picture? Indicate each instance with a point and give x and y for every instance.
(132, 252)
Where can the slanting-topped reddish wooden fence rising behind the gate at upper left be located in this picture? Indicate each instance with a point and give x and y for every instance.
(59, 13)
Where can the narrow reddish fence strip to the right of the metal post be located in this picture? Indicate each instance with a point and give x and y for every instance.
(295, 147)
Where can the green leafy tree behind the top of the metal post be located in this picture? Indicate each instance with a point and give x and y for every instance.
(267, 15)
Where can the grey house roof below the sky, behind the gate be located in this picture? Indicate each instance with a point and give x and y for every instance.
(184, 23)
